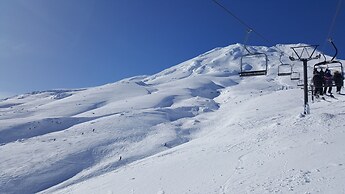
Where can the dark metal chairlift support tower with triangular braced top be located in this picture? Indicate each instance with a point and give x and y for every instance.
(305, 69)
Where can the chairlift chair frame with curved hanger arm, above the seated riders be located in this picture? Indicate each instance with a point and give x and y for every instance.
(333, 65)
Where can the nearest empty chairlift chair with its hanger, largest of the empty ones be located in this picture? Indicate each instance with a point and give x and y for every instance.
(253, 64)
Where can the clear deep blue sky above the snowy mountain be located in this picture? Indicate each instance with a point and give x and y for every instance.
(51, 44)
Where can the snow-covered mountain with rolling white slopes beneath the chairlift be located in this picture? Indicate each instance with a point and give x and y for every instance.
(196, 127)
